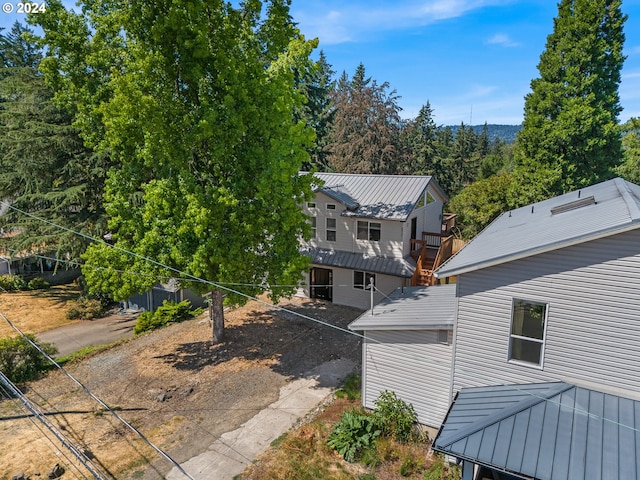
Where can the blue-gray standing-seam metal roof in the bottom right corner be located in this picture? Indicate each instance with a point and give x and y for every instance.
(548, 431)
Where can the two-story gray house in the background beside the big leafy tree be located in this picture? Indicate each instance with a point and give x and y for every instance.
(370, 228)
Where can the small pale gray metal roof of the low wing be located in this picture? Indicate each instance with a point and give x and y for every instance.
(412, 308)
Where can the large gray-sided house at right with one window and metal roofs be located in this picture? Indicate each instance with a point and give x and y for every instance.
(547, 293)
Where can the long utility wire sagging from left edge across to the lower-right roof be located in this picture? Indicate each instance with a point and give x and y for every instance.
(222, 287)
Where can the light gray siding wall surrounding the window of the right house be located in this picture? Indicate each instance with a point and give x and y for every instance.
(593, 323)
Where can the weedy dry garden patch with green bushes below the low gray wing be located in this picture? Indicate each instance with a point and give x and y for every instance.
(311, 451)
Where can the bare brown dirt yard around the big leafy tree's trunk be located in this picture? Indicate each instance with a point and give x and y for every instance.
(175, 387)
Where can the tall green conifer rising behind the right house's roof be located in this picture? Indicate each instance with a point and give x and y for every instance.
(570, 136)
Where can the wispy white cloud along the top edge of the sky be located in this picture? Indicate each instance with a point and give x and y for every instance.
(335, 21)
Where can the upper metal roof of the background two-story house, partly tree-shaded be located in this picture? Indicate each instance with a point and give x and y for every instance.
(386, 197)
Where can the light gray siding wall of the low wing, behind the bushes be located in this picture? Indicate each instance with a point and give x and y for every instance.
(412, 364)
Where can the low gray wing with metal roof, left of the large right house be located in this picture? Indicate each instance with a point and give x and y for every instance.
(408, 343)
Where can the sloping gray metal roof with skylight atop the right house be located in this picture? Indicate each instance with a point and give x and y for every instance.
(535, 229)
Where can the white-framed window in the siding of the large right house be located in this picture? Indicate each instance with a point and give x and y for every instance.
(528, 322)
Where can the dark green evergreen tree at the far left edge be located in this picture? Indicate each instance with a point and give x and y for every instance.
(45, 169)
